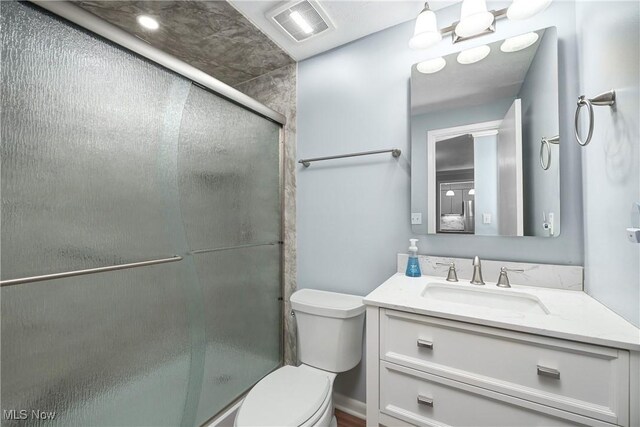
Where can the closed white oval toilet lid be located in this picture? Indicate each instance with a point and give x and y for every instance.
(288, 396)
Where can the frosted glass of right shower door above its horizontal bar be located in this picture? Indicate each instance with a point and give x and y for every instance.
(229, 174)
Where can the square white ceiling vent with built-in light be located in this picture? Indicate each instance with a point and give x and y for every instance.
(301, 20)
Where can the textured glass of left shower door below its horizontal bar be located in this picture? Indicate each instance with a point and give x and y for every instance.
(109, 349)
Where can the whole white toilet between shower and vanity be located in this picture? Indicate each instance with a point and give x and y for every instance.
(330, 327)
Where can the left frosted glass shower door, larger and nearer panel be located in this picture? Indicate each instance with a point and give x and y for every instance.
(84, 131)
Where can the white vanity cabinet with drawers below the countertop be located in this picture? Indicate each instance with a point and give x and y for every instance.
(428, 371)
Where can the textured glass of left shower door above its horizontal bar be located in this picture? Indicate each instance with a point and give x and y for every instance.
(81, 124)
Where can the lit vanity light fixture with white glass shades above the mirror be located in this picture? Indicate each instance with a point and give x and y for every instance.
(475, 21)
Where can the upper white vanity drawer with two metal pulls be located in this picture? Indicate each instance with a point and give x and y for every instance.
(589, 380)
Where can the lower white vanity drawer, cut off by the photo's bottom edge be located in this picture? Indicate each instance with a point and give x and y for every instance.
(424, 399)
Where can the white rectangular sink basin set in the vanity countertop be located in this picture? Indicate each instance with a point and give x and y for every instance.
(497, 299)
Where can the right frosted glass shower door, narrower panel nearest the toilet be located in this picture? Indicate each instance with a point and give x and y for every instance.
(230, 202)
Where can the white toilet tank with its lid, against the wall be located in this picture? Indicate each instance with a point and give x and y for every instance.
(330, 328)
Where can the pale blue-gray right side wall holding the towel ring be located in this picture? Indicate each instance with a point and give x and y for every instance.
(609, 59)
